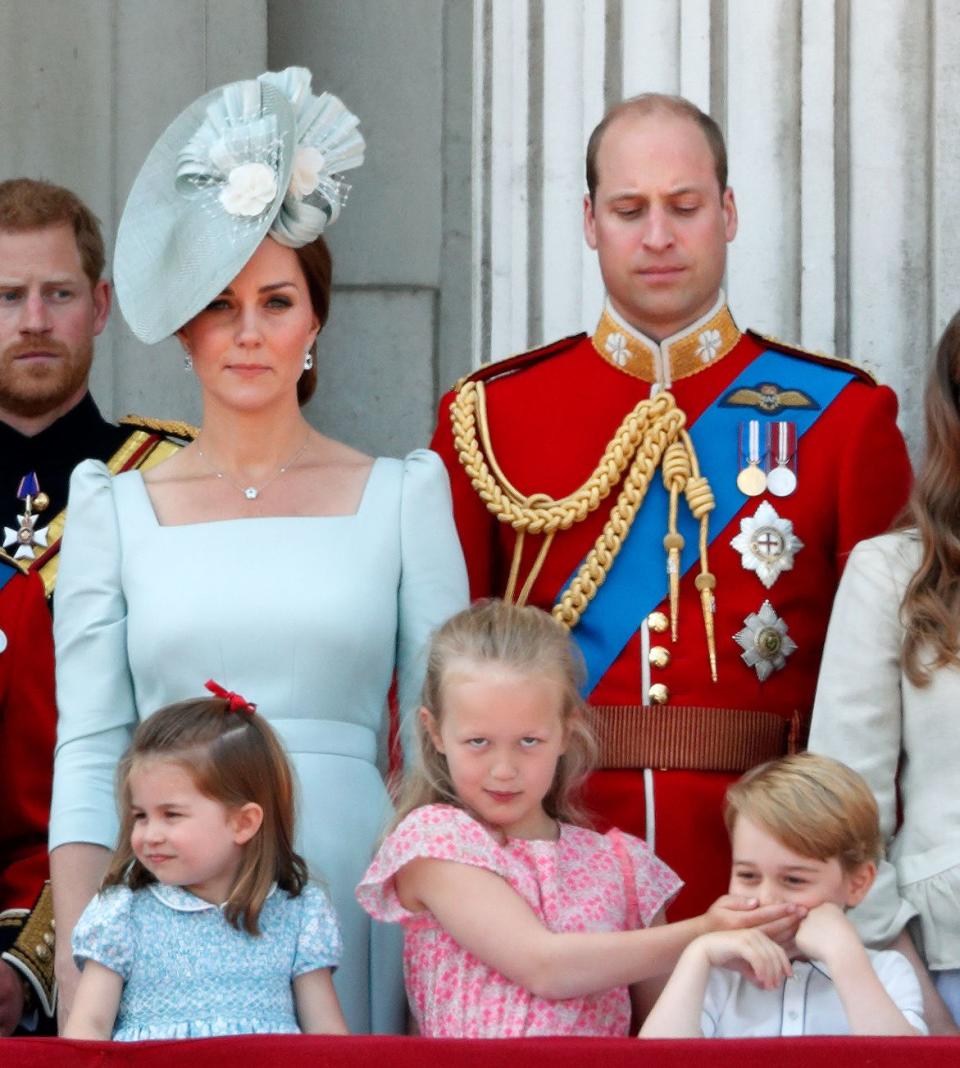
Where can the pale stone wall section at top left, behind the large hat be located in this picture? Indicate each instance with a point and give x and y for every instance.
(88, 86)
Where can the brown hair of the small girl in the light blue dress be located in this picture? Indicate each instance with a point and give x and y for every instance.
(234, 759)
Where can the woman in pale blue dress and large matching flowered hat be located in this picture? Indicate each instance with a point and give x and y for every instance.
(291, 568)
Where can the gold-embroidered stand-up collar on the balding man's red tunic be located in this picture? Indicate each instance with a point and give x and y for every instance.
(663, 364)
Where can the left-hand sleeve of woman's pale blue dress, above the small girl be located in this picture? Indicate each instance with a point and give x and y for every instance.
(95, 687)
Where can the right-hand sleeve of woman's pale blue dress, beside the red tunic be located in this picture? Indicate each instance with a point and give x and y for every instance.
(433, 576)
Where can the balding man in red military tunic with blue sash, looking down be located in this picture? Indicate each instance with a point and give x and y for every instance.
(682, 494)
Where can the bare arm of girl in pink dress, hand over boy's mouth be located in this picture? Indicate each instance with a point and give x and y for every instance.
(491, 920)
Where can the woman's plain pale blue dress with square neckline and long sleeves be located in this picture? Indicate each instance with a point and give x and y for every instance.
(306, 617)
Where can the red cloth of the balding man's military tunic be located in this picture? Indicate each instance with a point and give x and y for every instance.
(550, 420)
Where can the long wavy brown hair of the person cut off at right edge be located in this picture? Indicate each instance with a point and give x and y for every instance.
(931, 610)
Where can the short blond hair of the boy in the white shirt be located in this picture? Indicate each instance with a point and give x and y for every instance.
(812, 805)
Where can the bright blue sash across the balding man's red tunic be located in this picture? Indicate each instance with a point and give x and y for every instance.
(638, 582)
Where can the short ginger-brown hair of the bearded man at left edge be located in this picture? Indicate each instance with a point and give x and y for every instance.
(29, 205)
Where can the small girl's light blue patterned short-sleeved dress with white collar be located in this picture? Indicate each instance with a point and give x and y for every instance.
(188, 973)
